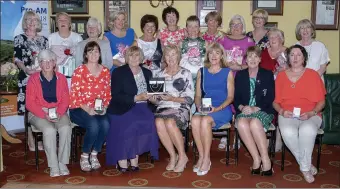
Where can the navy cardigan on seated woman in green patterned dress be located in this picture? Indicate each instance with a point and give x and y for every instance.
(264, 90)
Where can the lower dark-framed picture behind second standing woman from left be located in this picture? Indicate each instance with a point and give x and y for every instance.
(78, 25)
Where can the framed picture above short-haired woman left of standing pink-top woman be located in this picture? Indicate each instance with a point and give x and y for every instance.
(205, 6)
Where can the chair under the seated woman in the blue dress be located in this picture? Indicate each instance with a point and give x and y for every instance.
(223, 131)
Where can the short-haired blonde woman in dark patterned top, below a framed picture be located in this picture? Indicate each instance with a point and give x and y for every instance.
(259, 34)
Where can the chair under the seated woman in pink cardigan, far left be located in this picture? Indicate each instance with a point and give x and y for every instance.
(37, 134)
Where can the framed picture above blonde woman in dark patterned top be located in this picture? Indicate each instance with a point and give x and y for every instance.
(274, 7)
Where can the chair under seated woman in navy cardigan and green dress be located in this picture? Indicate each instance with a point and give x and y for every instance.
(271, 135)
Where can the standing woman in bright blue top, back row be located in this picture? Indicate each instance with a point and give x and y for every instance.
(120, 38)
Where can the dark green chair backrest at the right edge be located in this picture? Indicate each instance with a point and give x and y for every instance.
(332, 84)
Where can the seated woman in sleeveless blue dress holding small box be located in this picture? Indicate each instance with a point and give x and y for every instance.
(216, 82)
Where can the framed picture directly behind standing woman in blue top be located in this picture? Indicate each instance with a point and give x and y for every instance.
(112, 6)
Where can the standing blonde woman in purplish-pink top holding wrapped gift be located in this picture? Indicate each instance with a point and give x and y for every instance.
(236, 43)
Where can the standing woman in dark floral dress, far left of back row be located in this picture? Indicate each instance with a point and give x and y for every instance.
(26, 49)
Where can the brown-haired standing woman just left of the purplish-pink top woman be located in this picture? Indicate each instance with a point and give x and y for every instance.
(213, 21)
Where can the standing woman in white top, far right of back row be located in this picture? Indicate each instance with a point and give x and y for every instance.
(318, 56)
